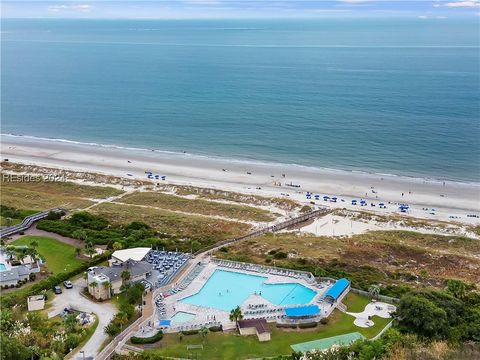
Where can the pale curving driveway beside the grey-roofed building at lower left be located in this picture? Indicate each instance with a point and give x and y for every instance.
(104, 311)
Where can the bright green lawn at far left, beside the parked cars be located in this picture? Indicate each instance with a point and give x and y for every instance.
(59, 257)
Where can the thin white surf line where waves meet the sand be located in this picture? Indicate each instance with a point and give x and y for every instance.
(242, 161)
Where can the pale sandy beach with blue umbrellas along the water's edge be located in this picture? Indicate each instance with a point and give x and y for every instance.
(429, 199)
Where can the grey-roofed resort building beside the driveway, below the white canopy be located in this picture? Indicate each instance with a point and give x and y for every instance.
(103, 281)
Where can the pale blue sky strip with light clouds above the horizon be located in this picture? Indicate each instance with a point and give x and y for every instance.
(219, 9)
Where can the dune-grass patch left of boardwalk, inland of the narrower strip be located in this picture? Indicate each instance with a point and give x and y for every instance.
(183, 227)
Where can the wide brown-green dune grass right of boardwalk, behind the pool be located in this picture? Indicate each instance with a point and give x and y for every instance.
(388, 257)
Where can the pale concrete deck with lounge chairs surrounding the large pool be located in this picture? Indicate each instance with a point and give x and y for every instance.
(206, 316)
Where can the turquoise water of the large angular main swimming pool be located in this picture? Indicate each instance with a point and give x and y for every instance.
(224, 290)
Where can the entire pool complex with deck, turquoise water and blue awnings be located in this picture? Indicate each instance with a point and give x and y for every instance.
(206, 295)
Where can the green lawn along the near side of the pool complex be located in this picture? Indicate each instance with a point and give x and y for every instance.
(229, 345)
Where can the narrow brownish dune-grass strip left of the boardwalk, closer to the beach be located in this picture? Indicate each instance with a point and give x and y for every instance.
(197, 206)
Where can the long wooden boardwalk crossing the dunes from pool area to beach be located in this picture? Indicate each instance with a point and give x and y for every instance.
(272, 228)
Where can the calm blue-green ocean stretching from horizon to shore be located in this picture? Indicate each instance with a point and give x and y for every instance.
(397, 96)
